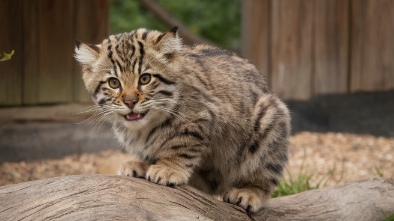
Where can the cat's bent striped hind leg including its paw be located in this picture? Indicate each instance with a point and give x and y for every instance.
(263, 160)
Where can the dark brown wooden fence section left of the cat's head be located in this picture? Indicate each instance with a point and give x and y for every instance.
(42, 33)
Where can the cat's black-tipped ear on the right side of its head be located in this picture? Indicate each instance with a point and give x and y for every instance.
(169, 42)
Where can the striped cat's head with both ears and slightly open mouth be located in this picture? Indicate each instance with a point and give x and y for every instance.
(130, 75)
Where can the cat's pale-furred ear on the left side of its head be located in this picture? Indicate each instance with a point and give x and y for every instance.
(86, 54)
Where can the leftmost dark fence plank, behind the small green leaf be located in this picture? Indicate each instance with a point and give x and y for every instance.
(11, 39)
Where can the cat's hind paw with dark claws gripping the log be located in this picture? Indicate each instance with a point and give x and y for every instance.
(251, 199)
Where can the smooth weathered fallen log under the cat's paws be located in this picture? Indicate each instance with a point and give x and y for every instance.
(107, 197)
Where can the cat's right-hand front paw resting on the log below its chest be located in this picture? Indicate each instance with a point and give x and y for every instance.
(165, 175)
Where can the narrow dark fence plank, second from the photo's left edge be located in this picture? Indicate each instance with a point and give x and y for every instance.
(30, 52)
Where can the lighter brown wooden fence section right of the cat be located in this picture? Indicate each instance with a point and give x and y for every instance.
(311, 47)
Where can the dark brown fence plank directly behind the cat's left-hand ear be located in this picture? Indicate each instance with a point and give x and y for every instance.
(91, 26)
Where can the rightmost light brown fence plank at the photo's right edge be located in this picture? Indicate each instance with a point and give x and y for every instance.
(372, 45)
